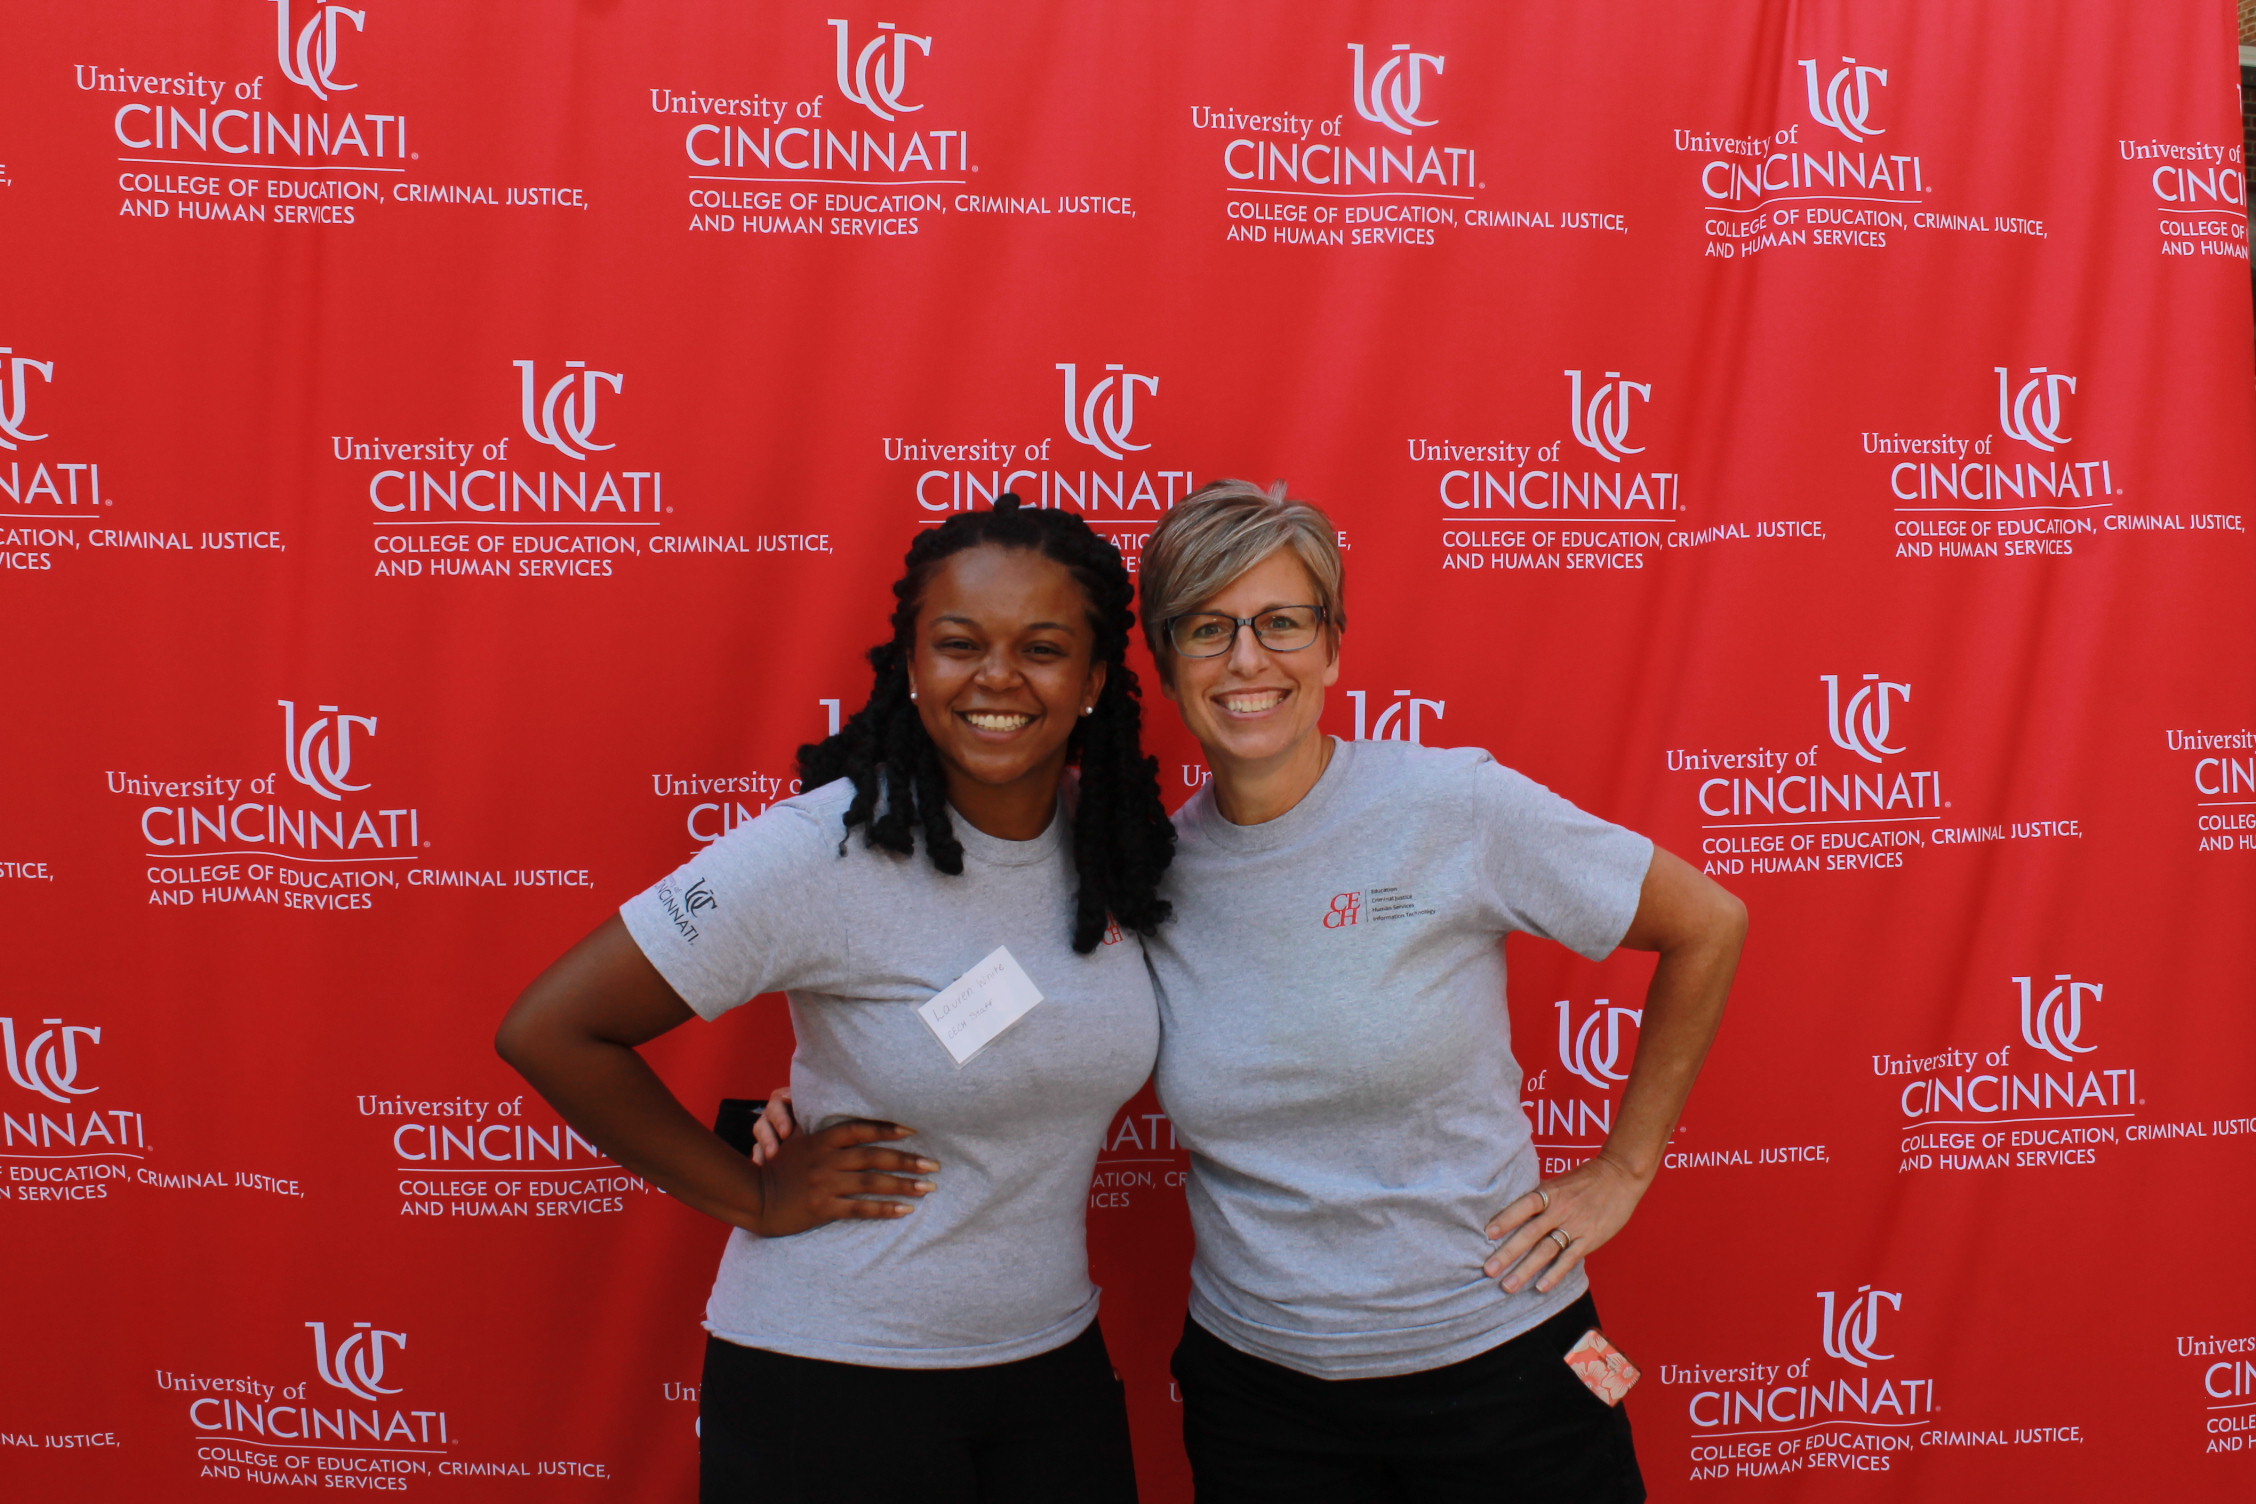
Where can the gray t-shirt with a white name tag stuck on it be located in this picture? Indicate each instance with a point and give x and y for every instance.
(994, 1266)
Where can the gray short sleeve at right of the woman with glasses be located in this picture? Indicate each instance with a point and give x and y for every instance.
(1553, 869)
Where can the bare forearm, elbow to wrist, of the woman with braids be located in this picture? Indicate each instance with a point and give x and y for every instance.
(619, 1104)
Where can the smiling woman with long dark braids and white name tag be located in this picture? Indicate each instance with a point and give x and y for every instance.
(919, 1320)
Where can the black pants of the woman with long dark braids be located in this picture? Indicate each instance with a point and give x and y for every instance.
(800, 1431)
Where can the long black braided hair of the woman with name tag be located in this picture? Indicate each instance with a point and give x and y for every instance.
(1122, 835)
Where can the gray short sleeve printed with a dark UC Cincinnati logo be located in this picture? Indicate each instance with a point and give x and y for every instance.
(750, 914)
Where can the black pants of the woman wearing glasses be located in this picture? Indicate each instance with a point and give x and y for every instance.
(1510, 1424)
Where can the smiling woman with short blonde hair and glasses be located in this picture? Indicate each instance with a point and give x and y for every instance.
(1384, 1298)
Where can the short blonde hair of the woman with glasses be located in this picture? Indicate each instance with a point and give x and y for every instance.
(1219, 533)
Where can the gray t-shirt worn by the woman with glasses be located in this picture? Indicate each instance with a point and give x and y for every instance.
(1337, 1056)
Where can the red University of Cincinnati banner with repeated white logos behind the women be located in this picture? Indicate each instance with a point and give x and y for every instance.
(452, 457)
